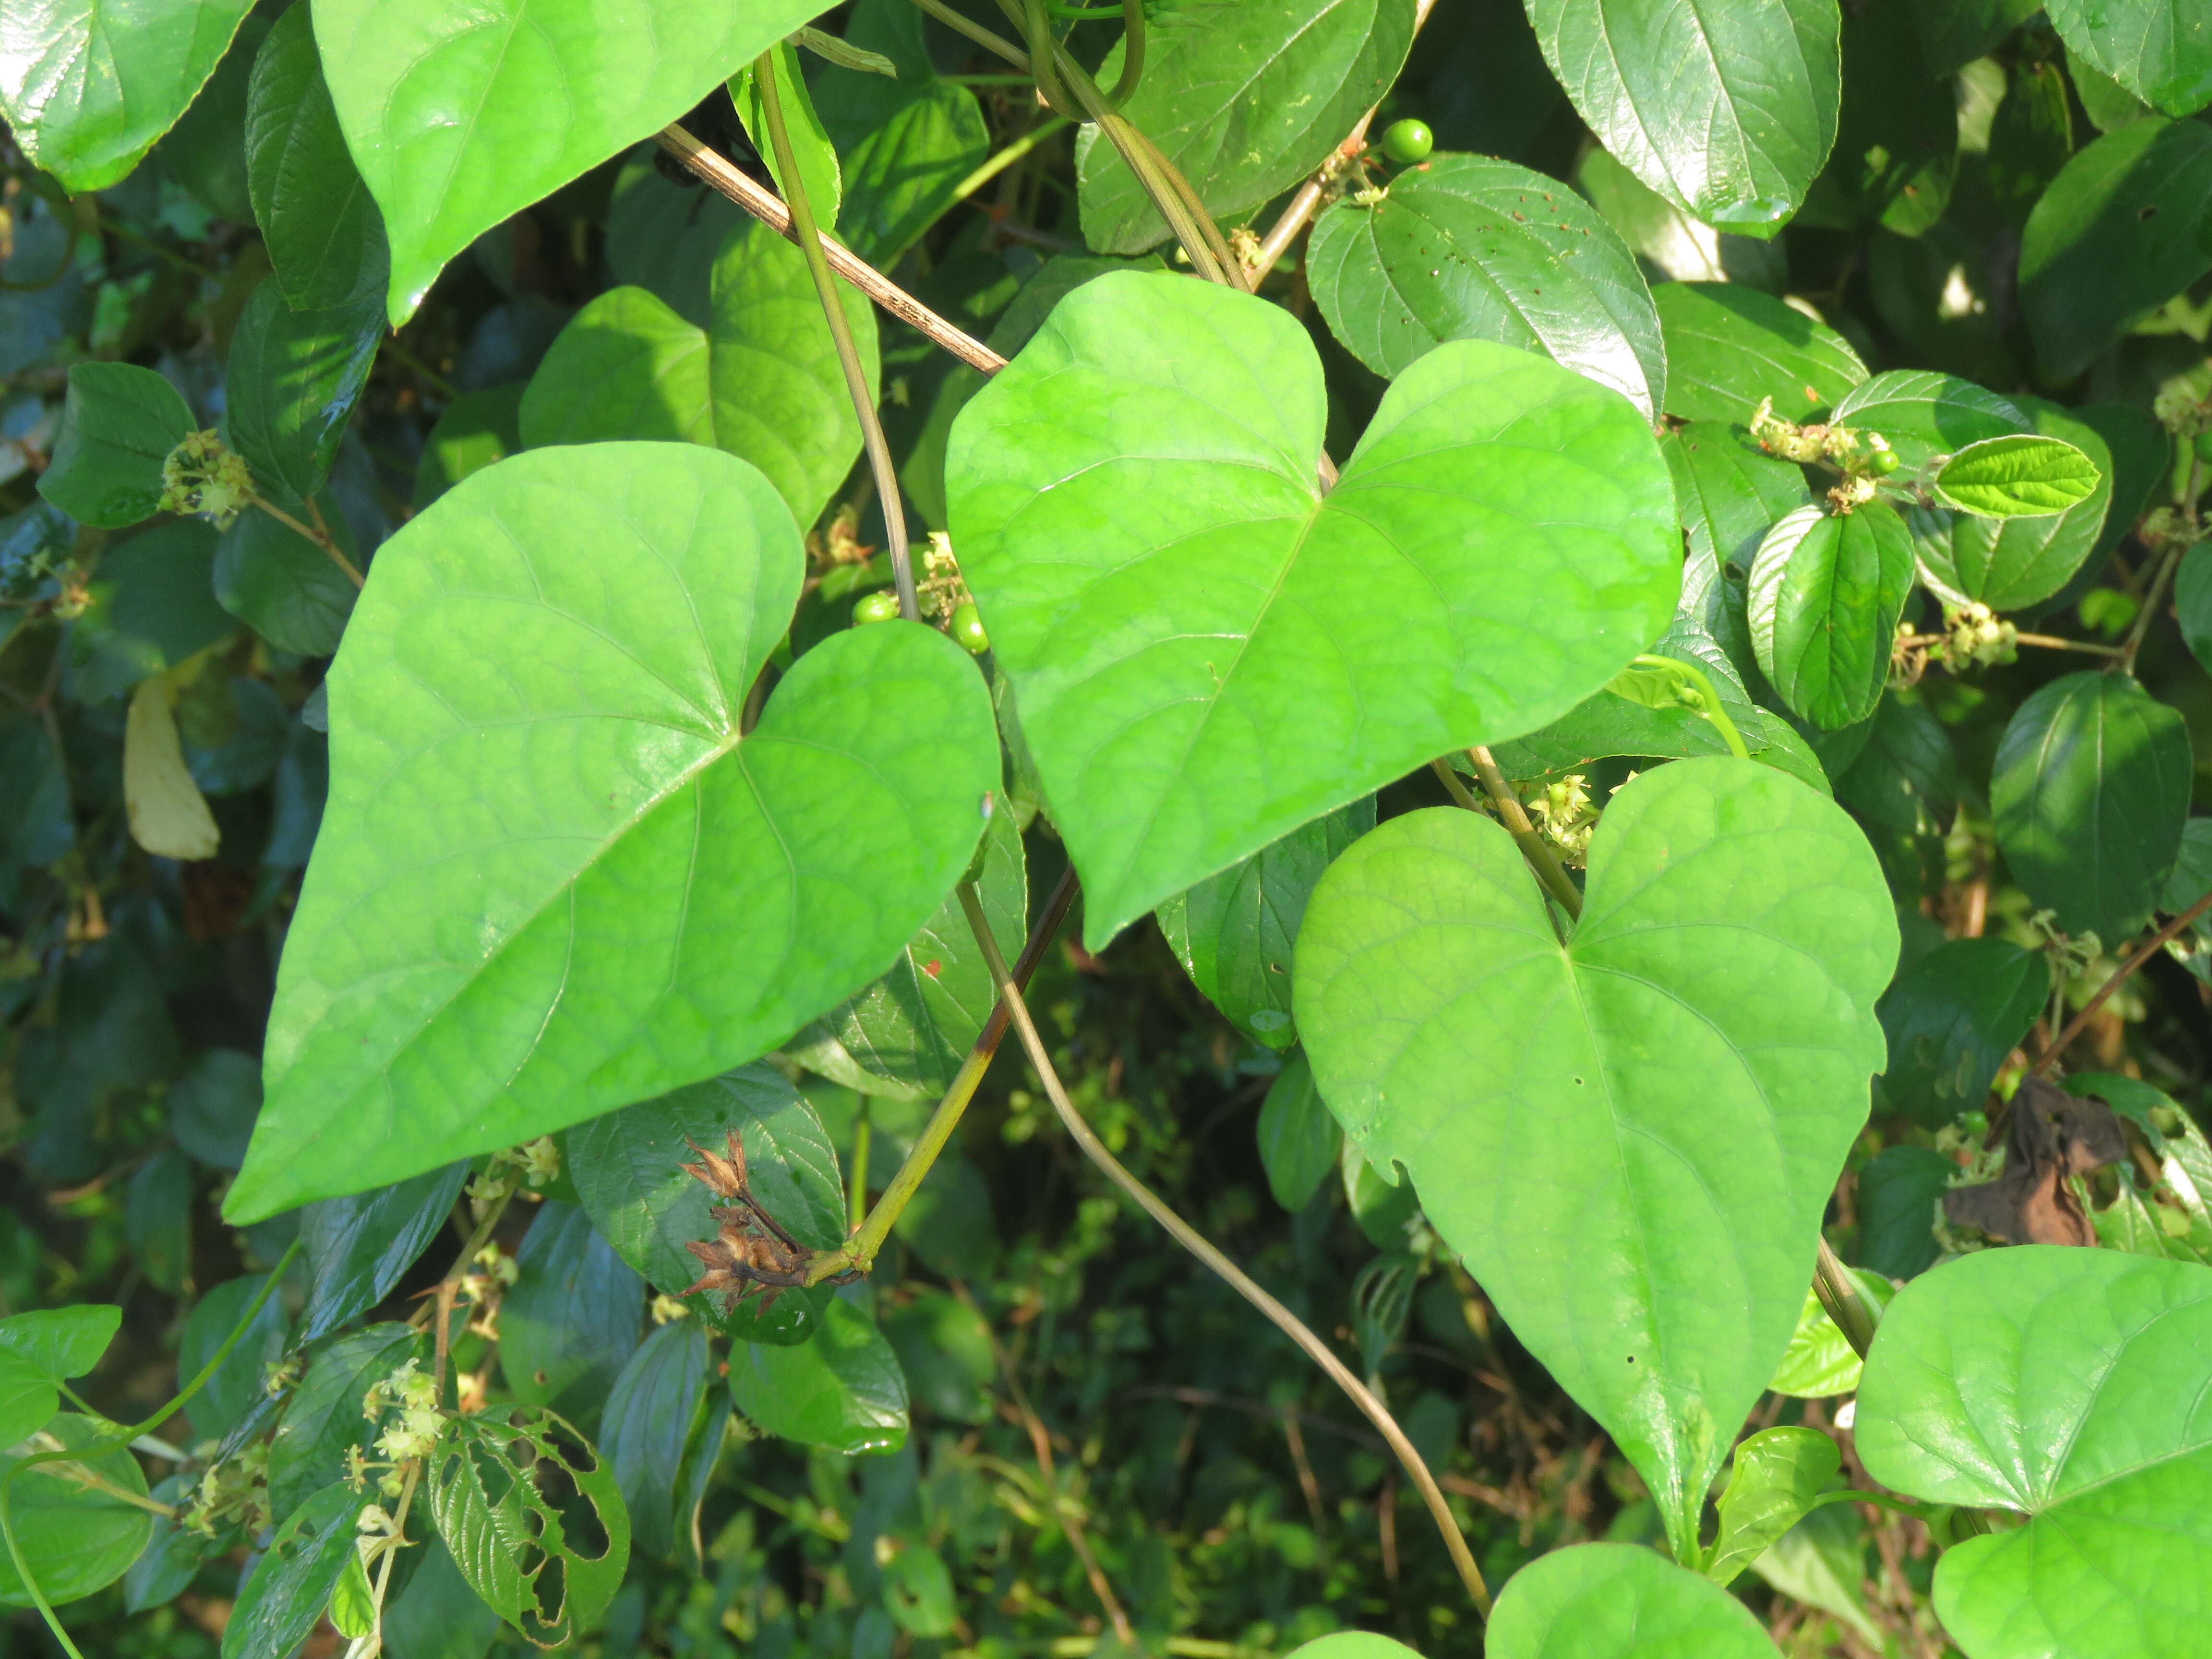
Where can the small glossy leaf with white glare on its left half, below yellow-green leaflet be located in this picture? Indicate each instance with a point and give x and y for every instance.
(1824, 603)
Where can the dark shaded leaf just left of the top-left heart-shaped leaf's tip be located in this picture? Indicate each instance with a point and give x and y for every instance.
(293, 386)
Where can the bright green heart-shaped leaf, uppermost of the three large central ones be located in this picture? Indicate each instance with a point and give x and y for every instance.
(1207, 649)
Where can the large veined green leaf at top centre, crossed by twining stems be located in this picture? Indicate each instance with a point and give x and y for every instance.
(1244, 101)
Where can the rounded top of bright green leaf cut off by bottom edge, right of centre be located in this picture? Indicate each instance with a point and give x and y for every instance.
(1620, 1603)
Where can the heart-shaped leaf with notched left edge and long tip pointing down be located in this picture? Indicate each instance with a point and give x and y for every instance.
(1629, 1136)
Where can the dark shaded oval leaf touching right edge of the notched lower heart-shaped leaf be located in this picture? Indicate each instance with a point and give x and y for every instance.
(1952, 1019)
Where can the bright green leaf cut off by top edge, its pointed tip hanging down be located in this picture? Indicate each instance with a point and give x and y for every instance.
(459, 116)
